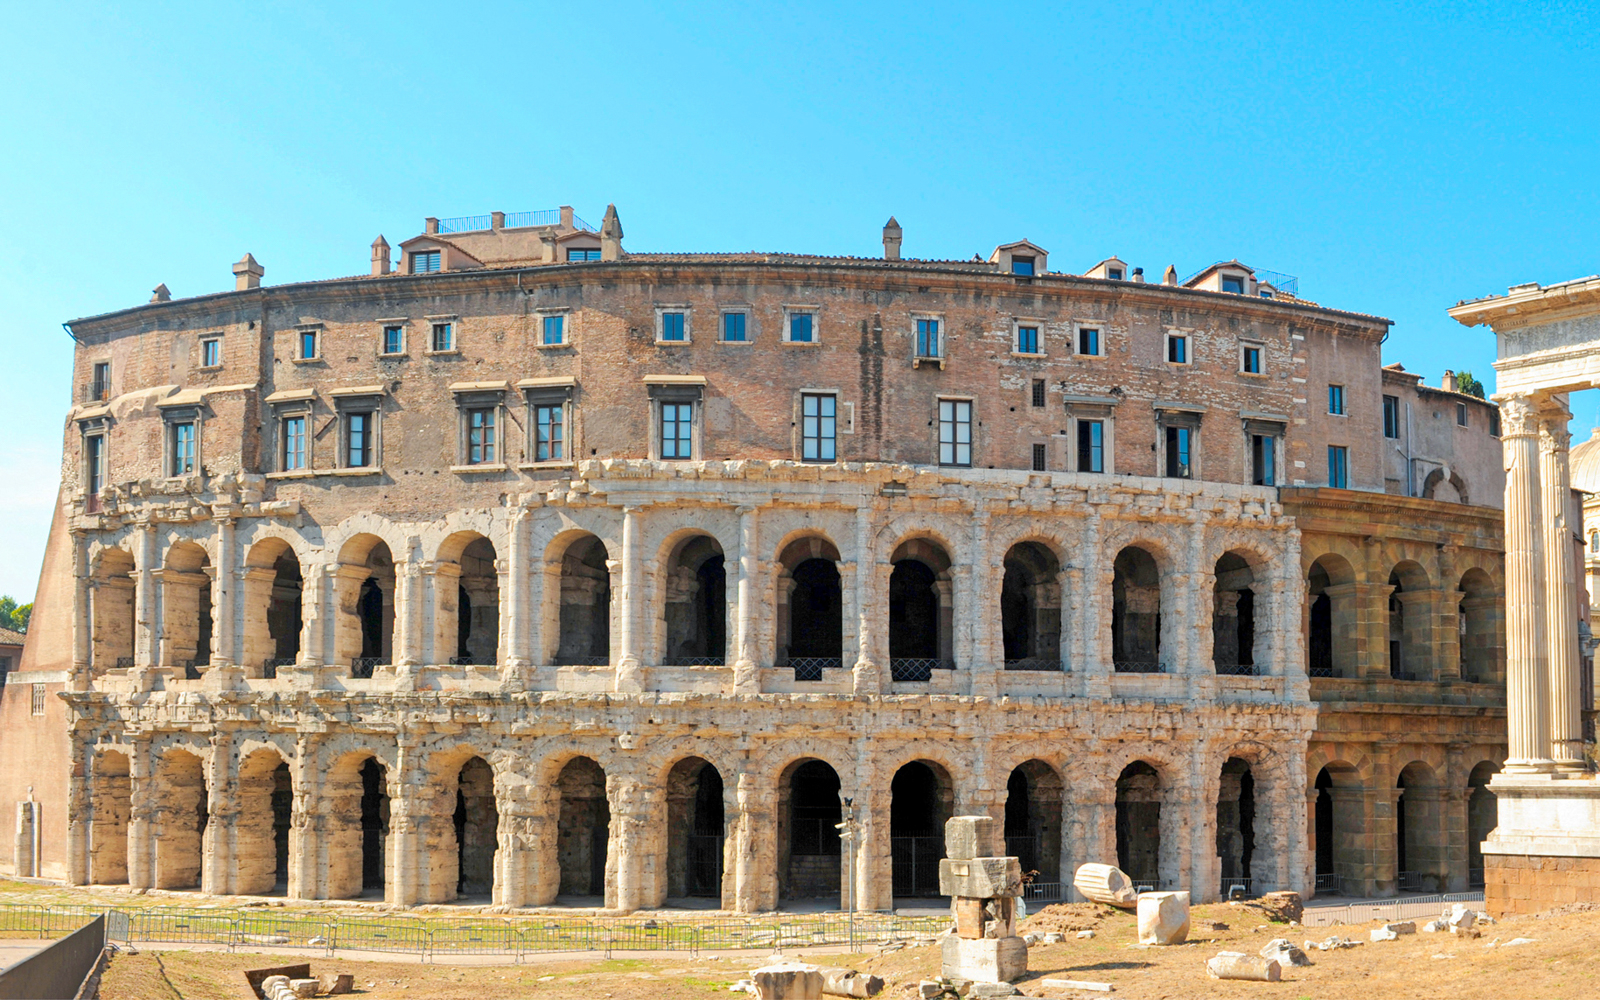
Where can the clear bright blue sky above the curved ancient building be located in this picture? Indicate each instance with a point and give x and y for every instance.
(1396, 159)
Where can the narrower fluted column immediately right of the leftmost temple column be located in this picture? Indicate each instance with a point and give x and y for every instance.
(1561, 590)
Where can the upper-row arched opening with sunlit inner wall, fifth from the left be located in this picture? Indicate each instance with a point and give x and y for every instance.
(466, 601)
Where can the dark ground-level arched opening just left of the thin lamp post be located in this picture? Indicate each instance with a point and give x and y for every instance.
(809, 847)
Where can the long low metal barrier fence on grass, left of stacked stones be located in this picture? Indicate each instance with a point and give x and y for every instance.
(431, 940)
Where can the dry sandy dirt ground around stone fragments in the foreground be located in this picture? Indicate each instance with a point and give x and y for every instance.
(1559, 964)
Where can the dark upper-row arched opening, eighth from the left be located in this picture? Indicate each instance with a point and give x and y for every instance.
(810, 609)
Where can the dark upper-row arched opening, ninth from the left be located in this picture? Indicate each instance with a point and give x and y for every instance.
(921, 610)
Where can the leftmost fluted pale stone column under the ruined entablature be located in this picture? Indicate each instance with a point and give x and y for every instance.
(1527, 652)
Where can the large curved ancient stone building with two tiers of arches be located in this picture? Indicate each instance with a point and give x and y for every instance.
(542, 570)
